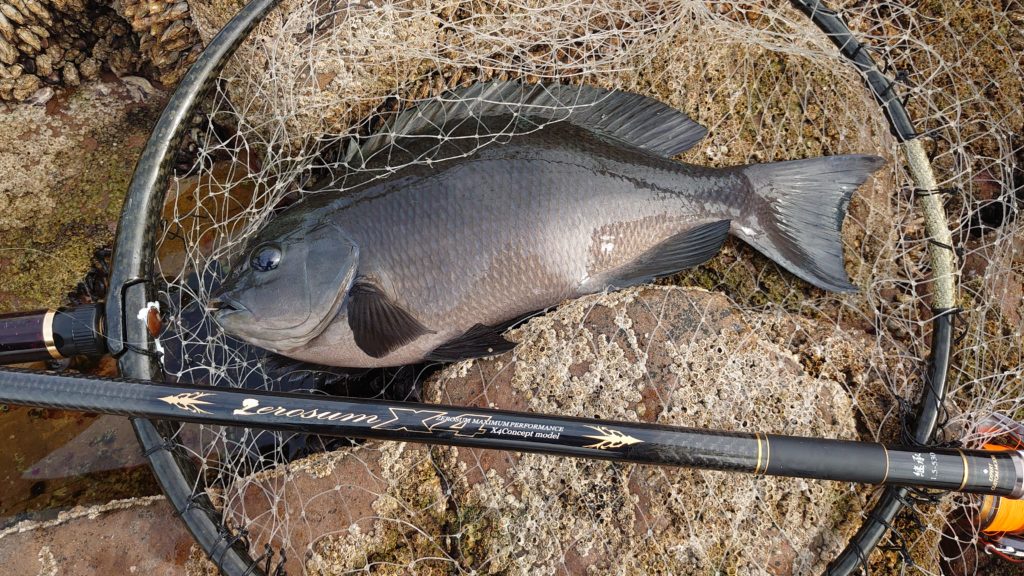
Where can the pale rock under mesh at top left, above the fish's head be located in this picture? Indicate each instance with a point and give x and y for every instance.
(369, 51)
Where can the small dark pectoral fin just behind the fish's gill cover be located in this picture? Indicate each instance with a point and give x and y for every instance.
(379, 324)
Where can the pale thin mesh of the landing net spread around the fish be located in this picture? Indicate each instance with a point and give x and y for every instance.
(735, 345)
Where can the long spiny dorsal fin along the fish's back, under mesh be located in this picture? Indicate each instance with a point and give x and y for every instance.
(472, 112)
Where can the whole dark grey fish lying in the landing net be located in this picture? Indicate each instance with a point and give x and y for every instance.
(510, 198)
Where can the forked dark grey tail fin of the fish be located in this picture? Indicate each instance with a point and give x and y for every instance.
(800, 223)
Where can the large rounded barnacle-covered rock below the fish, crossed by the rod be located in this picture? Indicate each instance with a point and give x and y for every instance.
(668, 356)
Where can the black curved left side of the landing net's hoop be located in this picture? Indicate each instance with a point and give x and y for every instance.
(133, 268)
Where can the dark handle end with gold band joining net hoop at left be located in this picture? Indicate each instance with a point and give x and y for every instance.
(52, 335)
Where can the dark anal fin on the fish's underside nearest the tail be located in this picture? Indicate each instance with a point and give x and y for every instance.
(676, 254)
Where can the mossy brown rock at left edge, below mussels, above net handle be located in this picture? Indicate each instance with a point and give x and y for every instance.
(65, 171)
